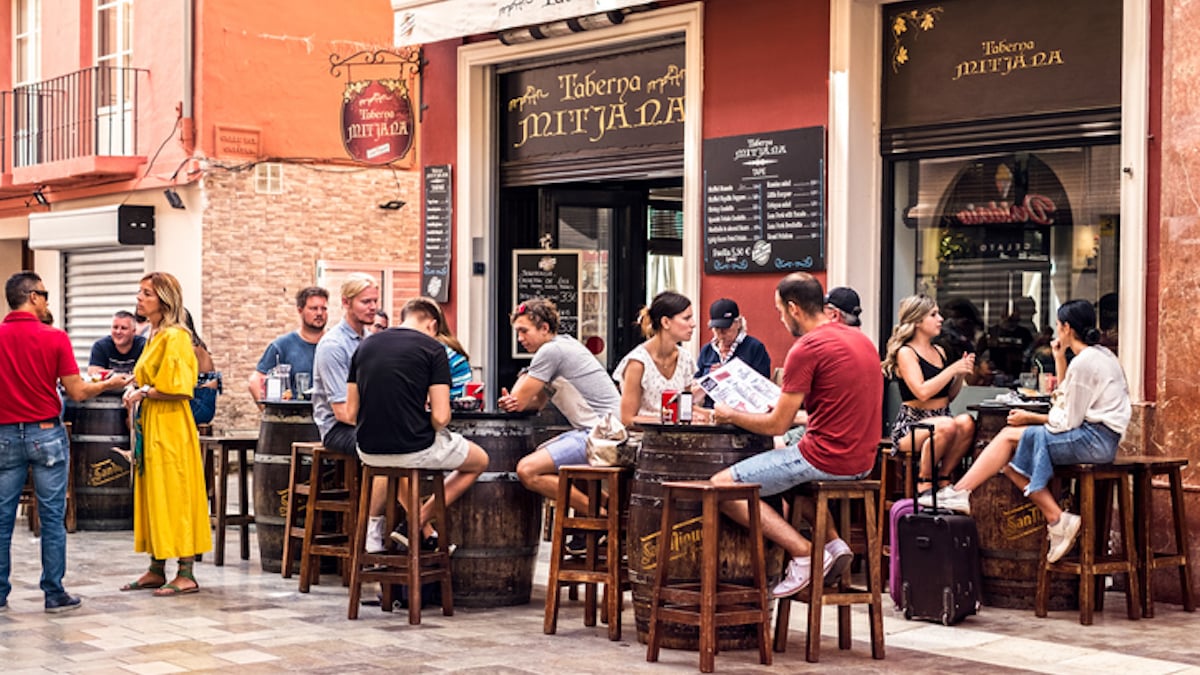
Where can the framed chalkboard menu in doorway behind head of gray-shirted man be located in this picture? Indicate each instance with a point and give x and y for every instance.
(553, 274)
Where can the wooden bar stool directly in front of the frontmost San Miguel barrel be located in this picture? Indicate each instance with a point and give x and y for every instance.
(711, 604)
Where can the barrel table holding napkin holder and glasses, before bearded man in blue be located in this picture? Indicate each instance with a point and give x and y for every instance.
(283, 425)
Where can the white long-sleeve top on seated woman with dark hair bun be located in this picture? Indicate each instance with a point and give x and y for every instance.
(1094, 391)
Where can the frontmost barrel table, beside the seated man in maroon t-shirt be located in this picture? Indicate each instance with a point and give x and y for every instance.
(688, 452)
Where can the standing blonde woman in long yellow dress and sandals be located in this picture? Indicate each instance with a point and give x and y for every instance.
(171, 517)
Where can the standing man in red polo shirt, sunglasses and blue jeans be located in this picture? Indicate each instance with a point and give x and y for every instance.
(34, 359)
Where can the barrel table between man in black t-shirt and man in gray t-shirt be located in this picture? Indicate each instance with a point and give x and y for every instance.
(496, 522)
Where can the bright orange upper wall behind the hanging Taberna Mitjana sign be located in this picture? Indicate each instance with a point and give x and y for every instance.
(266, 65)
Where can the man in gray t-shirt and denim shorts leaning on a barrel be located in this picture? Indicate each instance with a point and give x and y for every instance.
(566, 373)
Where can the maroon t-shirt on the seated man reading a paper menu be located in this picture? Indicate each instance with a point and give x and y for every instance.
(837, 368)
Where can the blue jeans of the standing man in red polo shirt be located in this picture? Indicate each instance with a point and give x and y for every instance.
(44, 449)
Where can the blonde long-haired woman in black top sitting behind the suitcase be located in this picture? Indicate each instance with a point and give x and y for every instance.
(927, 387)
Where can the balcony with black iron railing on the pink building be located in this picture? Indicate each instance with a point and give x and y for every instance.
(73, 130)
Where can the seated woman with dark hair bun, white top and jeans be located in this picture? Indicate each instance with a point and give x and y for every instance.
(1090, 413)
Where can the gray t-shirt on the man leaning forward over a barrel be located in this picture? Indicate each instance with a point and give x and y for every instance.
(578, 385)
